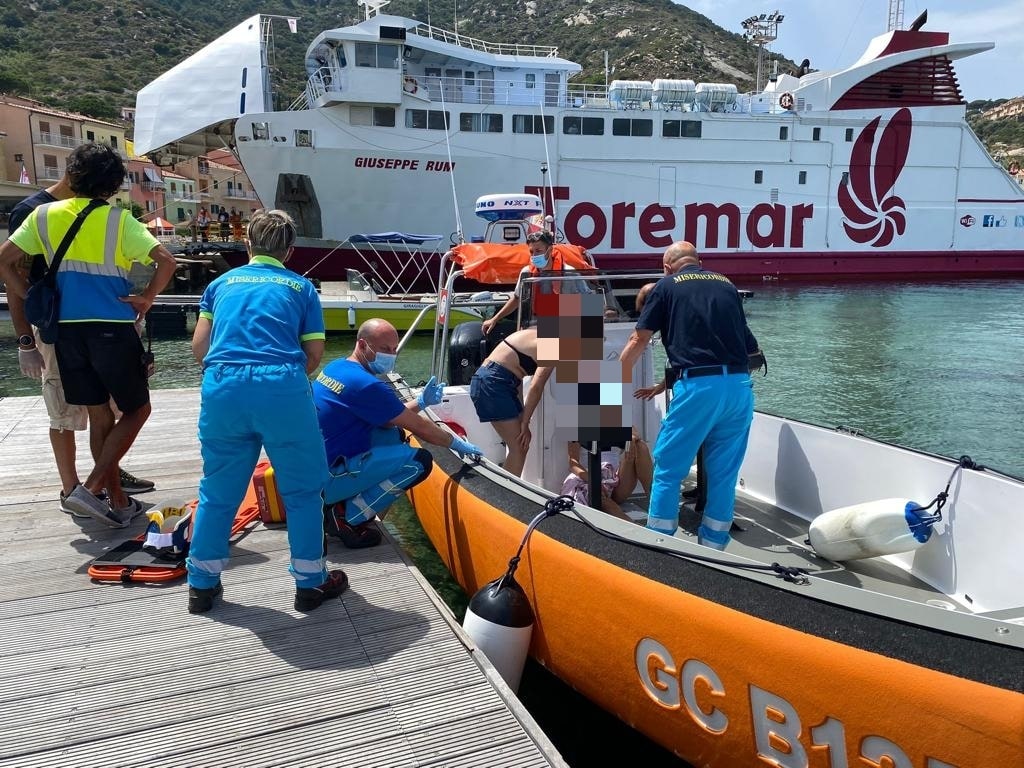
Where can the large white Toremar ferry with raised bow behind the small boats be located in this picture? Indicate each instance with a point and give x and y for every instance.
(865, 173)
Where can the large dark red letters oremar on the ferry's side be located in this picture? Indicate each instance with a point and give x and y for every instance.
(708, 226)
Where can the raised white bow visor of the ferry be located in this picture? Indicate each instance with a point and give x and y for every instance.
(192, 108)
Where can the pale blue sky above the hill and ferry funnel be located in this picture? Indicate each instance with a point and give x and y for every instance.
(834, 34)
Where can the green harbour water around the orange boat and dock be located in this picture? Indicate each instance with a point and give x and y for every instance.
(934, 367)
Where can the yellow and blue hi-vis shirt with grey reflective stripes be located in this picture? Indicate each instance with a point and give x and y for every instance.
(94, 275)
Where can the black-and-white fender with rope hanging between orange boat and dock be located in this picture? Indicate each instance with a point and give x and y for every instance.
(500, 619)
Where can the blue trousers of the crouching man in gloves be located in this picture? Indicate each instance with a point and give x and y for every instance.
(371, 483)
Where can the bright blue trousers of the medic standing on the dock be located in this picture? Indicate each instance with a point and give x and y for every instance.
(244, 409)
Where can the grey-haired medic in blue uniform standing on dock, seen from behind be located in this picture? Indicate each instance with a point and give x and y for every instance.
(260, 335)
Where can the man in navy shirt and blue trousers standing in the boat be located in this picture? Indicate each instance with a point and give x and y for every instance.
(708, 344)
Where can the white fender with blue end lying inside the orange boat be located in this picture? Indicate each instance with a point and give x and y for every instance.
(870, 530)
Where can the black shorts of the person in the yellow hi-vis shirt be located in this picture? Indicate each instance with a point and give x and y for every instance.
(101, 361)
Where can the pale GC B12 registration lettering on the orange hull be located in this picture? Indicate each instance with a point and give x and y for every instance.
(697, 689)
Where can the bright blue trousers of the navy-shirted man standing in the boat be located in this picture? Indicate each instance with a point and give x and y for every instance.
(716, 411)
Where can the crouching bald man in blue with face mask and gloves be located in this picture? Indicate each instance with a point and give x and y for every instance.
(362, 419)
